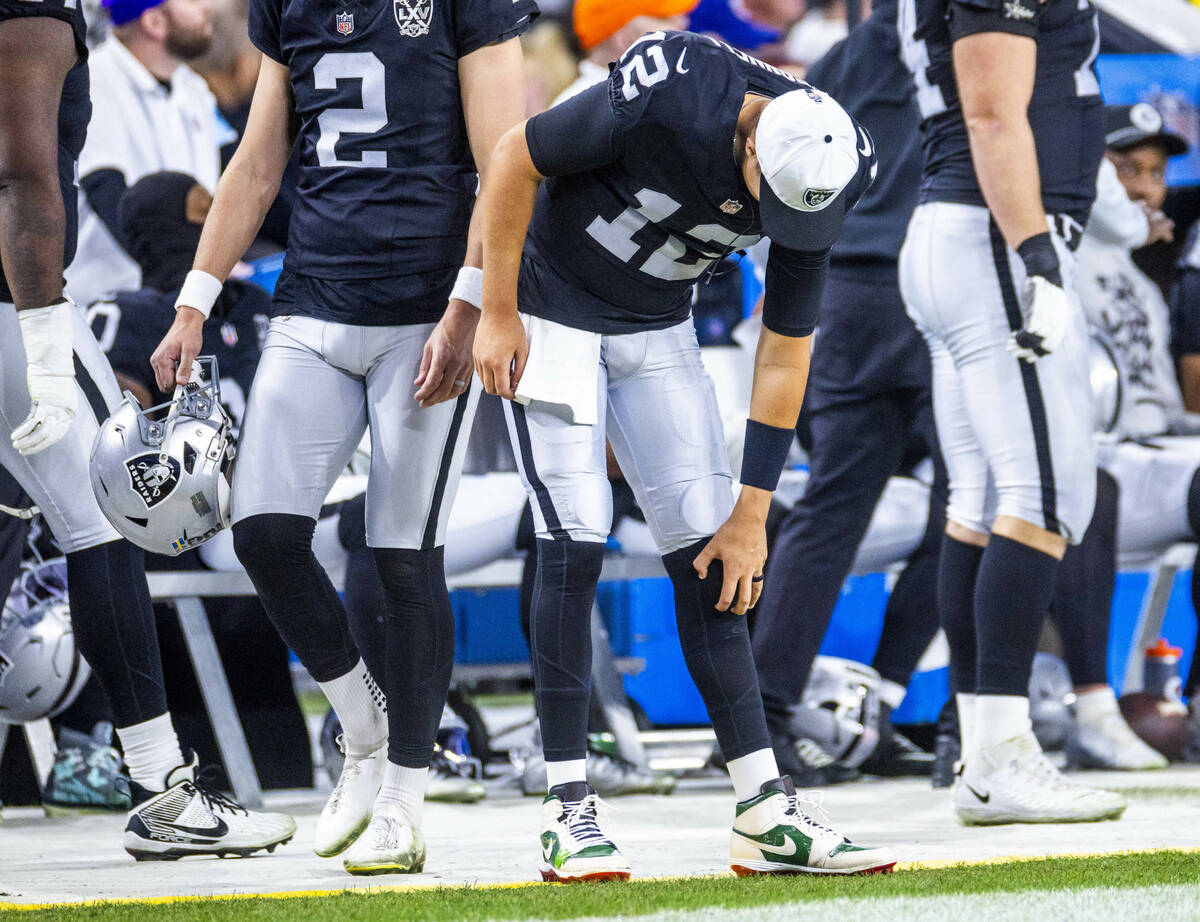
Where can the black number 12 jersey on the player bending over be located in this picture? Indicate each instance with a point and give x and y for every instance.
(619, 248)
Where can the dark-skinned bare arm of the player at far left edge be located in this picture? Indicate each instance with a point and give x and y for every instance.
(37, 55)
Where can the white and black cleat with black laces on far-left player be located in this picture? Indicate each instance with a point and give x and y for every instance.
(193, 818)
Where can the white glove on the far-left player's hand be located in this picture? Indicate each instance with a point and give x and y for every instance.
(47, 334)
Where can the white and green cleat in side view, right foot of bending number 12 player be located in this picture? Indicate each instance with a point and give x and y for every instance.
(772, 835)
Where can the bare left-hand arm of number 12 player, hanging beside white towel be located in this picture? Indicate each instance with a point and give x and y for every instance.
(506, 211)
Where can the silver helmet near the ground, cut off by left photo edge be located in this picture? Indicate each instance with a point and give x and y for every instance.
(41, 672)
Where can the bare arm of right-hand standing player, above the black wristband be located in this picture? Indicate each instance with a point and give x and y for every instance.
(995, 76)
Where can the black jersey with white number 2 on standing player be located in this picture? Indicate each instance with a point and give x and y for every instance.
(387, 181)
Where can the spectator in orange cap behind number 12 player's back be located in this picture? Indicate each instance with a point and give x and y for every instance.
(607, 28)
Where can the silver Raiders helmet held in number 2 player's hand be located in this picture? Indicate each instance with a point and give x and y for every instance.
(161, 482)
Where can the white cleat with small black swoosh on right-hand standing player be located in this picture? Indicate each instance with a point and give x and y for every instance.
(1012, 782)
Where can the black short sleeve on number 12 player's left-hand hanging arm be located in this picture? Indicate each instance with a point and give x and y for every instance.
(575, 136)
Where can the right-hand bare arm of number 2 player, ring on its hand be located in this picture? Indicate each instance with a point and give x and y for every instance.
(491, 82)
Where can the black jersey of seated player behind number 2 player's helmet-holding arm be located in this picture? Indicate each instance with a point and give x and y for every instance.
(130, 327)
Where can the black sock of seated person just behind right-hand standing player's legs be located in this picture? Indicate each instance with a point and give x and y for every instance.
(1083, 597)
